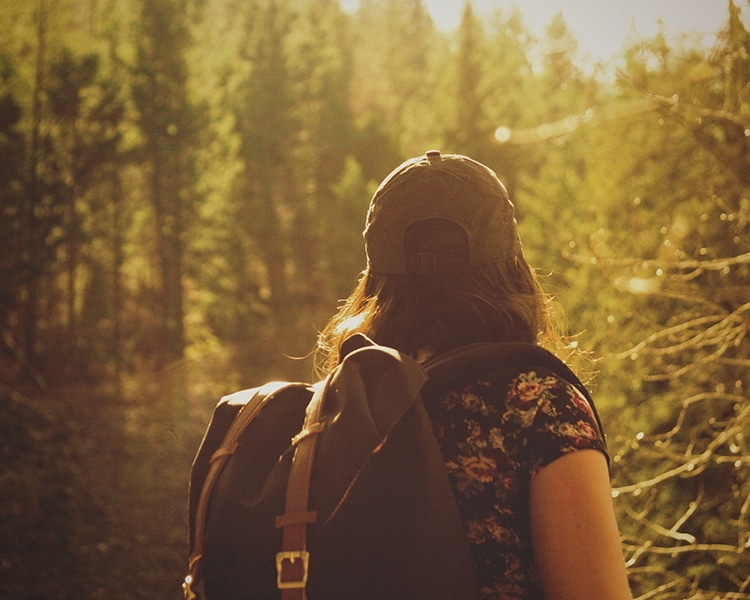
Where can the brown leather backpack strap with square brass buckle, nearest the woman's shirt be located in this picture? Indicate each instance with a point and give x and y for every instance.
(293, 560)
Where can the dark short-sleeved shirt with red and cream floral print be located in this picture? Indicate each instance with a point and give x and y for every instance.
(495, 433)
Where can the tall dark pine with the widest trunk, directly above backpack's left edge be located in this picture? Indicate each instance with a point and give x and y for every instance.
(168, 123)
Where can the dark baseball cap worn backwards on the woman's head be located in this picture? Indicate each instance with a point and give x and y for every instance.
(439, 213)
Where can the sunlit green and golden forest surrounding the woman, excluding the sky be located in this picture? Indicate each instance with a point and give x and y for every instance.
(183, 186)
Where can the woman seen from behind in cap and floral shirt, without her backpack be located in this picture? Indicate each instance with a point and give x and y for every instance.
(526, 461)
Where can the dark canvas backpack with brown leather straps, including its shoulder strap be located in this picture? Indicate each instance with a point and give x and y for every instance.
(337, 490)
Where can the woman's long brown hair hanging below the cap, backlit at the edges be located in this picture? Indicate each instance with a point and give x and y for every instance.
(499, 302)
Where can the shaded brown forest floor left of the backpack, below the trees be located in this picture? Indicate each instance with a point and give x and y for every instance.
(93, 492)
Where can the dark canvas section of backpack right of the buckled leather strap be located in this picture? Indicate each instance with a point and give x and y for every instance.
(388, 525)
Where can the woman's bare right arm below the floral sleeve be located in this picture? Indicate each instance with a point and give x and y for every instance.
(574, 533)
